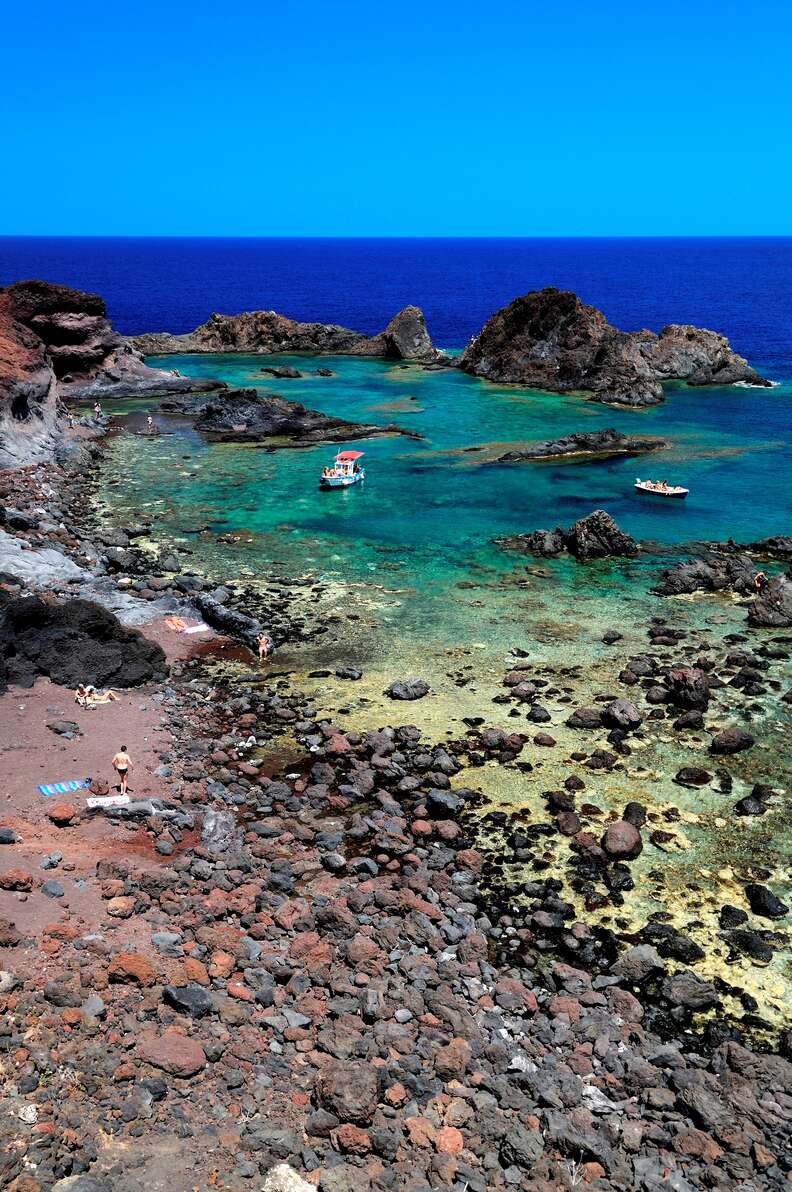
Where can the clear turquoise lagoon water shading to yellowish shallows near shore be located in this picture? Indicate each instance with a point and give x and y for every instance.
(409, 581)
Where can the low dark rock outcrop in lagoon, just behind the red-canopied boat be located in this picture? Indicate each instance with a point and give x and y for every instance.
(246, 415)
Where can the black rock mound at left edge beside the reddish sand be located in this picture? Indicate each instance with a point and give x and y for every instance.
(72, 642)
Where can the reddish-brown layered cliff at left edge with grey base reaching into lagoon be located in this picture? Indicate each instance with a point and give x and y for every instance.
(57, 345)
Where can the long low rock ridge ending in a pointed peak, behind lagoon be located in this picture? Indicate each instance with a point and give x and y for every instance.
(267, 333)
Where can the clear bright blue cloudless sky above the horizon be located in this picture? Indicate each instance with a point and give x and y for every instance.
(351, 119)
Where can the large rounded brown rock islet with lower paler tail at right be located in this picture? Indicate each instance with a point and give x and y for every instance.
(552, 340)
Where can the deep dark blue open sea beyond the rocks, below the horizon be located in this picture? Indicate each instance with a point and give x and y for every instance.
(742, 288)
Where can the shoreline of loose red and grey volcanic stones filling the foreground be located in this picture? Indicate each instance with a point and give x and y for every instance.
(325, 964)
